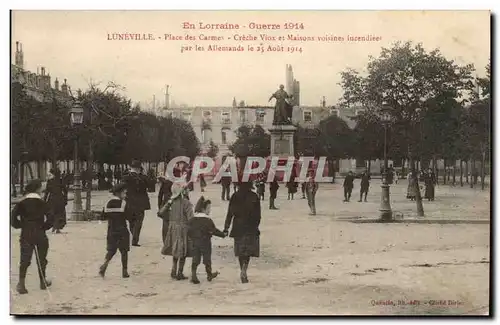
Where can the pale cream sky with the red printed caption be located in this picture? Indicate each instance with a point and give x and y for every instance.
(74, 45)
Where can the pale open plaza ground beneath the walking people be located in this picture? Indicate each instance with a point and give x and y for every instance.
(327, 264)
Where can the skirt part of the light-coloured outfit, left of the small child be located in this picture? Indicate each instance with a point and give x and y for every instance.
(177, 243)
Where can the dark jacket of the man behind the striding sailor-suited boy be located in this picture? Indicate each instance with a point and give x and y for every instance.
(137, 192)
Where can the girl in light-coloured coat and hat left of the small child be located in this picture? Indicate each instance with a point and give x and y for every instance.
(177, 244)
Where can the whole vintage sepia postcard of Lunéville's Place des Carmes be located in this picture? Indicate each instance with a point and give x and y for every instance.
(250, 163)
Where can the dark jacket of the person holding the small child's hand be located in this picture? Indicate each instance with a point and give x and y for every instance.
(244, 213)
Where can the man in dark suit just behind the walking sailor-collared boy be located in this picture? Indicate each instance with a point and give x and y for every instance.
(136, 184)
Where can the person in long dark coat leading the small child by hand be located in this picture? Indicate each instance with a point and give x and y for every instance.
(244, 214)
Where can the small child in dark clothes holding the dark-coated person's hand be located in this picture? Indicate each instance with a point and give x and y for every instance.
(201, 229)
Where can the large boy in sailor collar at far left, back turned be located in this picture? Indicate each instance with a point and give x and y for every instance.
(34, 218)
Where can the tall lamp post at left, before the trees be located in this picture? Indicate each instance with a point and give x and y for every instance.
(76, 121)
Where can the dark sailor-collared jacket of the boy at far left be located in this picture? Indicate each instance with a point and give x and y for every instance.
(32, 216)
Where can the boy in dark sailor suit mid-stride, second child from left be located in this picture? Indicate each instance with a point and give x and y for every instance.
(118, 236)
